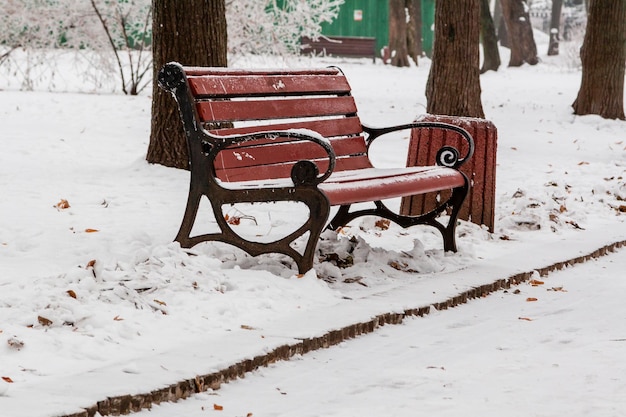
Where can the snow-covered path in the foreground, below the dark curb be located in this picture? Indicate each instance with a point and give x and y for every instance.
(551, 346)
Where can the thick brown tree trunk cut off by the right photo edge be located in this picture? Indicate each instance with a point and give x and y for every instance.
(603, 57)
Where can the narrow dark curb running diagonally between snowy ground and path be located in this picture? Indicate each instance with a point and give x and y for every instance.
(126, 404)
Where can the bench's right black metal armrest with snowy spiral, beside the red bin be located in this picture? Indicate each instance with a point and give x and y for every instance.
(447, 156)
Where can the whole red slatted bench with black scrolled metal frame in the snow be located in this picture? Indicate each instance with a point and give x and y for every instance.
(294, 135)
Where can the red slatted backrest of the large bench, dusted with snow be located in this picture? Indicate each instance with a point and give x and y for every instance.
(230, 101)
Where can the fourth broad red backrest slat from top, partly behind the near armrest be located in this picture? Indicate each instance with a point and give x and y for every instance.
(292, 151)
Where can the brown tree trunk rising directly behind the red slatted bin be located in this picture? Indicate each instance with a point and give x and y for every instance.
(453, 86)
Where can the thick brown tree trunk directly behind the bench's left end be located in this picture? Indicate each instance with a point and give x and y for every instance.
(192, 32)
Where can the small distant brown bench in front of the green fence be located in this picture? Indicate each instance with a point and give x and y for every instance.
(348, 46)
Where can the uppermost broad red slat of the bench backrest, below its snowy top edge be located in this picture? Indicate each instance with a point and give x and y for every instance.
(267, 85)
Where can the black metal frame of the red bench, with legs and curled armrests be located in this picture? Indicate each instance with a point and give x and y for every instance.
(204, 148)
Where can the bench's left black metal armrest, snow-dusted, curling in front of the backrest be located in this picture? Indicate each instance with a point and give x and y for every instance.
(304, 172)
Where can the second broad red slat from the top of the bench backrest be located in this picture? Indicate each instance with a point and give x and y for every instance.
(273, 109)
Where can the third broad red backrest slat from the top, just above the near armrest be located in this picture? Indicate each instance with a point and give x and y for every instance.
(342, 126)
